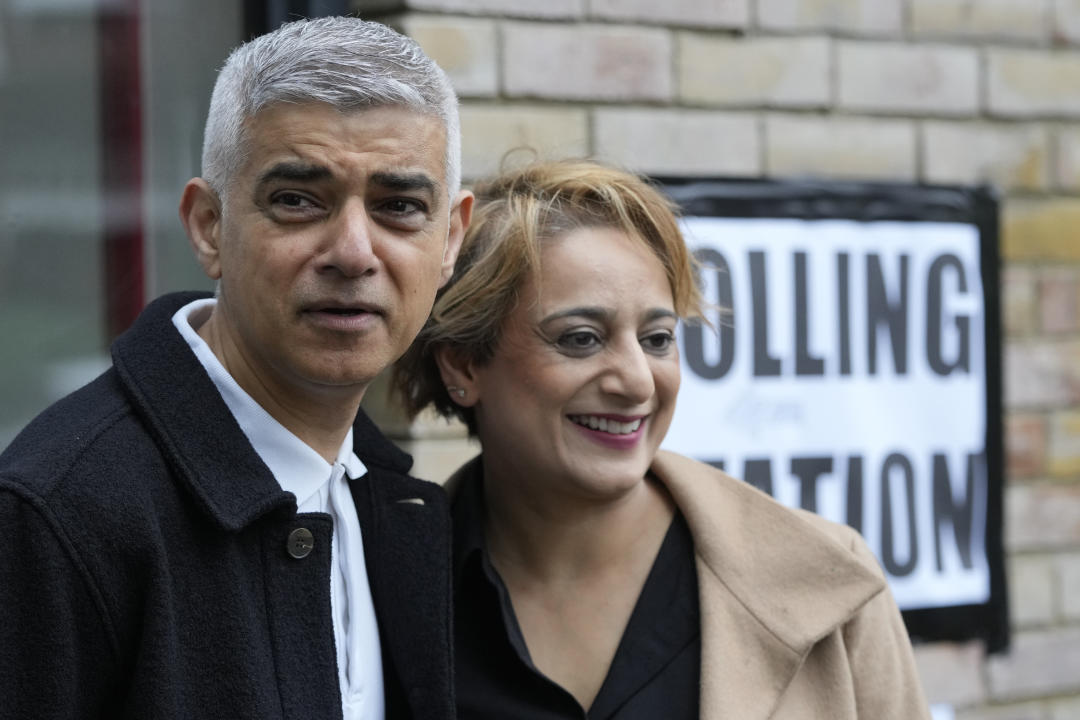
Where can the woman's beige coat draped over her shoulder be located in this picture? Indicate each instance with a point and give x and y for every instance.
(798, 622)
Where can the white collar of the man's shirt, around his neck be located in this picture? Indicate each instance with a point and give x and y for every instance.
(296, 467)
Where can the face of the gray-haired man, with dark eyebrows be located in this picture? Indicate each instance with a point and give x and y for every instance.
(332, 241)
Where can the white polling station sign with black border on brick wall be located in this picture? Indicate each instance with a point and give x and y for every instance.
(854, 371)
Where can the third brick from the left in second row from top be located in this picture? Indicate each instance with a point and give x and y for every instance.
(772, 72)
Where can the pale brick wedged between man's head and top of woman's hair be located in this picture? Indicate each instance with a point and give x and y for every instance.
(490, 132)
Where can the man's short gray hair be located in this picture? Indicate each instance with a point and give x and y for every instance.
(344, 62)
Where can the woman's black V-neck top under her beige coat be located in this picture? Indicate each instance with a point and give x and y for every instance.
(656, 670)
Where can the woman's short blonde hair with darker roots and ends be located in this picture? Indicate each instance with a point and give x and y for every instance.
(516, 212)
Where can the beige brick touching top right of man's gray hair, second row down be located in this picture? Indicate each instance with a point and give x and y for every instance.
(465, 48)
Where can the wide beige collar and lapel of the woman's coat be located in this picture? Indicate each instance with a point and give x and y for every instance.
(772, 583)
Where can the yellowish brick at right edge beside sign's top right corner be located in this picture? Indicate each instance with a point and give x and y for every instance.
(1041, 229)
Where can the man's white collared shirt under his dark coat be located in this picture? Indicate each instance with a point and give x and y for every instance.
(319, 487)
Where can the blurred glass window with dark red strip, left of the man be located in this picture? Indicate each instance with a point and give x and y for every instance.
(102, 108)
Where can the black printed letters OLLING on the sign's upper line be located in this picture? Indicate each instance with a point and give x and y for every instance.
(889, 322)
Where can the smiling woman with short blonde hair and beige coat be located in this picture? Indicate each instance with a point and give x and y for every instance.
(597, 576)
